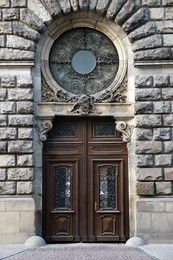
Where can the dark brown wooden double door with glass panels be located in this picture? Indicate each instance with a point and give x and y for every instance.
(85, 182)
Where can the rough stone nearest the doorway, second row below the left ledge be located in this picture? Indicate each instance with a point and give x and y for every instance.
(20, 94)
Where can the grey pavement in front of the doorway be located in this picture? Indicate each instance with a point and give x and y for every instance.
(84, 251)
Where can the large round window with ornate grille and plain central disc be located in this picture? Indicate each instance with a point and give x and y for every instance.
(83, 61)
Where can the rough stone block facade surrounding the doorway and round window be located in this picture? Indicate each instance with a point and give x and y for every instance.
(145, 28)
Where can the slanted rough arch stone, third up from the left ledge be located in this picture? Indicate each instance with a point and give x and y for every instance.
(25, 31)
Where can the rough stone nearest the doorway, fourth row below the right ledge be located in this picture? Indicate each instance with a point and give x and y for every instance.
(149, 120)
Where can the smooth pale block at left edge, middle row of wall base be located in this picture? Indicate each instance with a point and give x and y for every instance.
(9, 220)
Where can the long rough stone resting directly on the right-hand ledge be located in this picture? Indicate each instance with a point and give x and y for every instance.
(154, 54)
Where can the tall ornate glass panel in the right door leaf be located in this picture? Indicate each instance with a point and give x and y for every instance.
(107, 184)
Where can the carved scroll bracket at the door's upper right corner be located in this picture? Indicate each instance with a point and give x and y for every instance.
(125, 129)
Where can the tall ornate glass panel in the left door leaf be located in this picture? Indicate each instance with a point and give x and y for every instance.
(63, 179)
